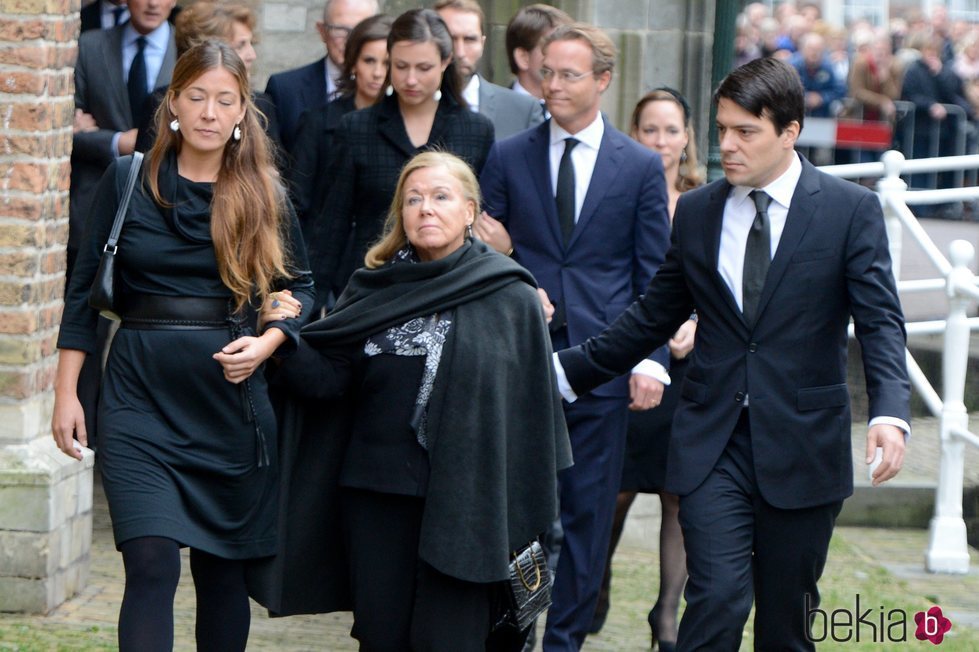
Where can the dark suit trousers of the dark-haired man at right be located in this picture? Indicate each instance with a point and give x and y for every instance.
(740, 548)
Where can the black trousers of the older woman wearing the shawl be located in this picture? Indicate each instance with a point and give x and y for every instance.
(400, 602)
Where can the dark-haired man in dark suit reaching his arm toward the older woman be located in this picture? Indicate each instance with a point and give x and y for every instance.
(760, 486)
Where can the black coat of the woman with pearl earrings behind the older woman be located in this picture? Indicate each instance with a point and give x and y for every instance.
(369, 149)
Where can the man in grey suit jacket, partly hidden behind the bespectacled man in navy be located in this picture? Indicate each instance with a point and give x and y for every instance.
(510, 112)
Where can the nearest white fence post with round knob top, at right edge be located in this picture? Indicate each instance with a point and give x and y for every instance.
(948, 550)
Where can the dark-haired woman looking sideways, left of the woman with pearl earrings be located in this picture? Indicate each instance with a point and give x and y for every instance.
(365, 69)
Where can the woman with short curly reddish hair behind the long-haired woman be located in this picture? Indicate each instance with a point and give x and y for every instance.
(235, 25)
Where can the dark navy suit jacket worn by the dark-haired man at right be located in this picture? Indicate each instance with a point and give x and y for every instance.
(832, 263)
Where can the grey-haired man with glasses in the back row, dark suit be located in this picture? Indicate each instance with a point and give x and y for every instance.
(313, 85)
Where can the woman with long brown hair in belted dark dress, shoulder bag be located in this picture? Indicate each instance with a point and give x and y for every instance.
(187, 433)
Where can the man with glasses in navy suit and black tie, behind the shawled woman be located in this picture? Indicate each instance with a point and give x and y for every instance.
(585, 208)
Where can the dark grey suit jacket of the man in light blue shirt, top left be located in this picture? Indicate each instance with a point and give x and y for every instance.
(100, 90)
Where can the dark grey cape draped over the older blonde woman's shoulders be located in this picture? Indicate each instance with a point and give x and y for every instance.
(497, 436)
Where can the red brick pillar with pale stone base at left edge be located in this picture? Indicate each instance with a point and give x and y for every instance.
(45, 497)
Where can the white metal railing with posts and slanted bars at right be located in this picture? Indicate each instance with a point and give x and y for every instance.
(948, 550)
